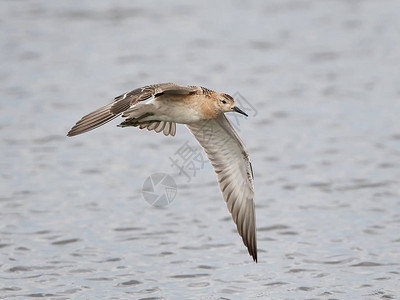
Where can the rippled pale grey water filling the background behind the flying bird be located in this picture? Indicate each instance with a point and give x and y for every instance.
(324, 141)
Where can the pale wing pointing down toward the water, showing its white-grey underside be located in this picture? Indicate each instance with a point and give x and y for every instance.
(230, 159)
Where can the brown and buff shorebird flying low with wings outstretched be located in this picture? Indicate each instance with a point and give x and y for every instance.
(159, 107)
